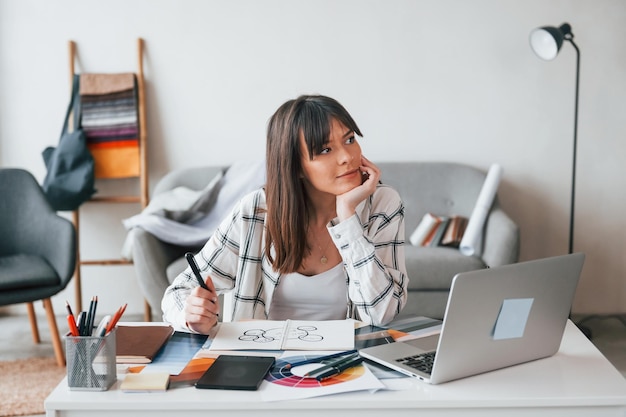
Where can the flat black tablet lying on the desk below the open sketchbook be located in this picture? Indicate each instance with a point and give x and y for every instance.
(236, 372)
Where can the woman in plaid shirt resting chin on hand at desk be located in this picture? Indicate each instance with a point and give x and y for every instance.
(322, 240)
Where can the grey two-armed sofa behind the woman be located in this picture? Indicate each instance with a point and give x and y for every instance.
(437, 187)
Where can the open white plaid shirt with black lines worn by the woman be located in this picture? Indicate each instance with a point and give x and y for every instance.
(371, 244)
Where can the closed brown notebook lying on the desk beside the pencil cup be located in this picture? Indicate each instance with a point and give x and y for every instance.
(141, 343)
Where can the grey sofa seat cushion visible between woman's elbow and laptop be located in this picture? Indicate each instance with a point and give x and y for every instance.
(433, 268)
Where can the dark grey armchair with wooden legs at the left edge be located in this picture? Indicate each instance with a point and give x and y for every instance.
(37, 250)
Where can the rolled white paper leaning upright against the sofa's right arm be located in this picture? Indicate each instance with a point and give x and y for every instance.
(471, 244)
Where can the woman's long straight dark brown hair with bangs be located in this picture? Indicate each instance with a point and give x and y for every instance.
(287, 216)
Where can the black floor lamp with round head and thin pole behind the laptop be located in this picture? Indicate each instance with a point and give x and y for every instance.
(546, 42)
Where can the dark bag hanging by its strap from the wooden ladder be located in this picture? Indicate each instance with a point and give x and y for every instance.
(70, 179)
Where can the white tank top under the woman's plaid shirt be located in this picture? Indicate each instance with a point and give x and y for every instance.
(318, 297)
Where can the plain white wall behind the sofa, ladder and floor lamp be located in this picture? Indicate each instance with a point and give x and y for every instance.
(425, 79)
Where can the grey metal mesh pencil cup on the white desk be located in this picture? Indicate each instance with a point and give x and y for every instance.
(91, 362)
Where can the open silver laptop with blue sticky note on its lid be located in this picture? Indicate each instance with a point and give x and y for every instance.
(495, 318)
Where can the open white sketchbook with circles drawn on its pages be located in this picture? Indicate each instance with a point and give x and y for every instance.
(285, 335)
